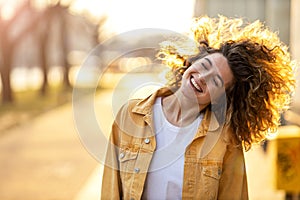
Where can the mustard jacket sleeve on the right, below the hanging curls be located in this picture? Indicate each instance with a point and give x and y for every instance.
(233, 182)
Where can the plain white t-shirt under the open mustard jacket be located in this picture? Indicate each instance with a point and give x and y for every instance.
(165, 175)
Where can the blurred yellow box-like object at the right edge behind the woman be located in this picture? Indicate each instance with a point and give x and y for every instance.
(285, 148)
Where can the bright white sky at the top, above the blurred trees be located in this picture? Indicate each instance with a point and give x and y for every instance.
(126, 15)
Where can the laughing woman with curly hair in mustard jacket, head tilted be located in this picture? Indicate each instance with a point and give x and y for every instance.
(186, 140)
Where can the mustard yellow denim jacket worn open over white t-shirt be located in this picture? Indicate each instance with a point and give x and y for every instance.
(220, 174)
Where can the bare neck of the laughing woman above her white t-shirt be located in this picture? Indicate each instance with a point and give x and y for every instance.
(179, 110)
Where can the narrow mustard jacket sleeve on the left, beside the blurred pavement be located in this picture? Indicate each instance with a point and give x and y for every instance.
(111, 182)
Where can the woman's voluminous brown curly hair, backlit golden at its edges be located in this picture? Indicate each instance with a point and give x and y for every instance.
(264, 73)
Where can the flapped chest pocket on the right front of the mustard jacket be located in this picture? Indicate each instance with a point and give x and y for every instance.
(210, 176)
